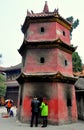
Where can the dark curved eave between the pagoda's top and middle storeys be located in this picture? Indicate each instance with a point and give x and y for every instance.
(46, 44)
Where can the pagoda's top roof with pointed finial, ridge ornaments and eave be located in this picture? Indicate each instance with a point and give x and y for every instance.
(42, 17)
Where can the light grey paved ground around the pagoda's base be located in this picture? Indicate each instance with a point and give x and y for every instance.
(11, 123)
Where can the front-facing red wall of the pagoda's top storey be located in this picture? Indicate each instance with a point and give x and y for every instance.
(34, 31)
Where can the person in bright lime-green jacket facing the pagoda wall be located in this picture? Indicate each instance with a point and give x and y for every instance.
(44, 113)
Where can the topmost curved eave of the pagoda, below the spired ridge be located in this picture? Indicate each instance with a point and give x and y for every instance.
(45, 18)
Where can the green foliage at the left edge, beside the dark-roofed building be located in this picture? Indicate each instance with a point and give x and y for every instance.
(2, 85)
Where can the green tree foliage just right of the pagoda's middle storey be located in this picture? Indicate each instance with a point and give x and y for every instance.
(77, 62)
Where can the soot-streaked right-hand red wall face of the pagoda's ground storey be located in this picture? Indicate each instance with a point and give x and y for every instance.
(66, 112)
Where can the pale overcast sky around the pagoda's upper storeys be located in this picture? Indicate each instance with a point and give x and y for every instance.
(12, 16)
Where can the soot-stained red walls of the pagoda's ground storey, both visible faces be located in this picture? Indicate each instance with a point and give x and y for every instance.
(56, 93)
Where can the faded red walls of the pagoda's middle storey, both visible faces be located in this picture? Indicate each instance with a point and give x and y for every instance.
(54, 61)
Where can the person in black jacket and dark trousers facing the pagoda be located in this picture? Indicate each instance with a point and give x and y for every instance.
(35, 104)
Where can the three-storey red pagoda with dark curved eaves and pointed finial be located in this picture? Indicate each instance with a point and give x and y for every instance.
(47, 66)
